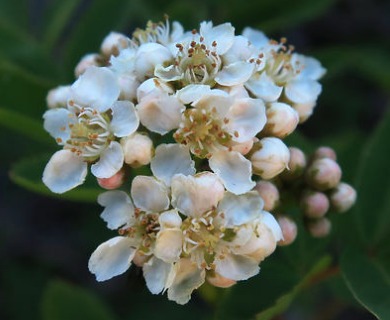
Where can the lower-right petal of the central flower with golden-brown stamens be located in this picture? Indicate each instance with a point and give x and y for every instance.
(234, 170)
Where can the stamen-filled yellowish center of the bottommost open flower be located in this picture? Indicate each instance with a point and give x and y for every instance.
(201, 237)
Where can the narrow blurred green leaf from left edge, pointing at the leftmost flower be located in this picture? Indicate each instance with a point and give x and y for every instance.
(24, 125)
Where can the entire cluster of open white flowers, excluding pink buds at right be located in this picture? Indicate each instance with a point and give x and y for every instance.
(206, 111)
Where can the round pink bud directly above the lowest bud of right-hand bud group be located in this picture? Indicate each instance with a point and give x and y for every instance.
(314, 204)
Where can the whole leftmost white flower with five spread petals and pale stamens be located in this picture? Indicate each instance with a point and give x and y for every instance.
(88, 133)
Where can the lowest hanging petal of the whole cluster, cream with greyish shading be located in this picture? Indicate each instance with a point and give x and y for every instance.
(184, 278)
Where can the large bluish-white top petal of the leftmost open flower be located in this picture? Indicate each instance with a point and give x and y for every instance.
(97, 88)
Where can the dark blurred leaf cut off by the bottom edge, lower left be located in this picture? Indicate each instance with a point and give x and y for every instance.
(65, 301)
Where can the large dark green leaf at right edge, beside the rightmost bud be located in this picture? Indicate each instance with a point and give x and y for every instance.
(373, 185)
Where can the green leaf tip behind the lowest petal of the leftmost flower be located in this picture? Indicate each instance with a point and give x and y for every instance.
(28, 174)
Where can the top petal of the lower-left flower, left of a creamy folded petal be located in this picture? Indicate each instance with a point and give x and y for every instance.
(149, 194)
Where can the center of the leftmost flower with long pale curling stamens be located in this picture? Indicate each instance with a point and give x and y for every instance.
(90, 135)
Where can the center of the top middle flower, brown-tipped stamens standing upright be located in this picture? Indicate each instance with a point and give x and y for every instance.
(198, 63)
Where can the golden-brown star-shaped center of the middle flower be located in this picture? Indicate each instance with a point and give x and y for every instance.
(202, 131)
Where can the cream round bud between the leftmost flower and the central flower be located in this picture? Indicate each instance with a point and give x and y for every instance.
(138, 149)
